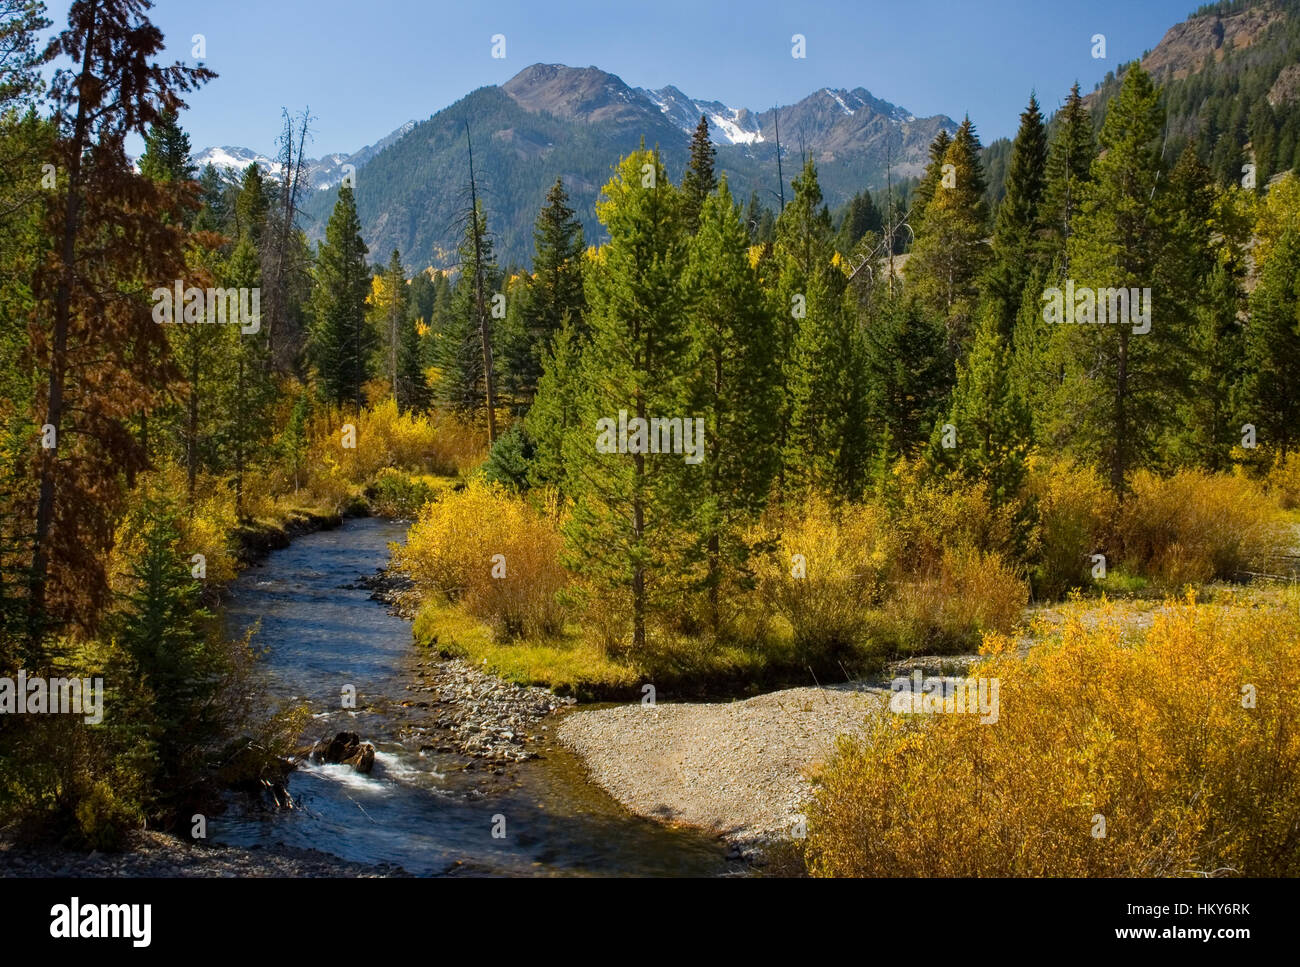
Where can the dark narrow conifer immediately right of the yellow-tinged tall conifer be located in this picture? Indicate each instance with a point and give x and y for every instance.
(1019, 219)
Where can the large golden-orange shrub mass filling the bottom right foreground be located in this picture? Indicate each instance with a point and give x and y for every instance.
(1176, 754)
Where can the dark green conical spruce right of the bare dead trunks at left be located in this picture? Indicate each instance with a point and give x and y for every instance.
(343, 345)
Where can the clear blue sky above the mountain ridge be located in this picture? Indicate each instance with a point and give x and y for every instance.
(365, 68)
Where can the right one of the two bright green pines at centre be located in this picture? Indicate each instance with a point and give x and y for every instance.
(736, 391)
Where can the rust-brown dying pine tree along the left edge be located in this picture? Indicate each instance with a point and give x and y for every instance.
(102, 361)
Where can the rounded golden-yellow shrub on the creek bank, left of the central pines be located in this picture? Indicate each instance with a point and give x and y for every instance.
(493, 553)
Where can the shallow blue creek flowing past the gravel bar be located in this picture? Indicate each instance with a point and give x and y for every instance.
(423, 812)
